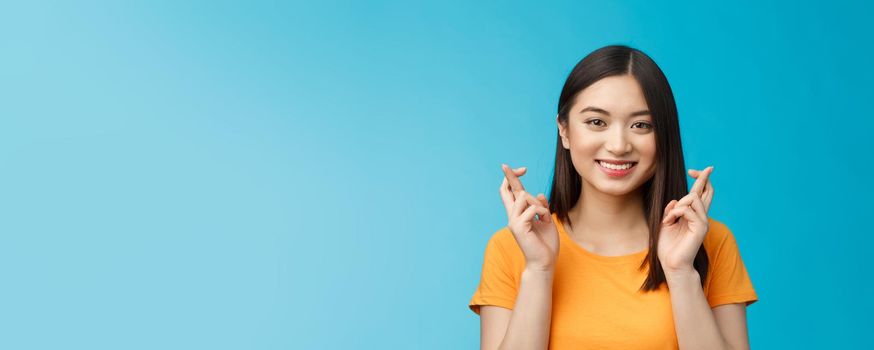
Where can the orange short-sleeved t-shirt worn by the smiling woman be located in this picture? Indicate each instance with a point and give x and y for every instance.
(595, 298)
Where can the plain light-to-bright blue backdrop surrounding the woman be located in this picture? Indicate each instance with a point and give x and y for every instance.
(235, 175)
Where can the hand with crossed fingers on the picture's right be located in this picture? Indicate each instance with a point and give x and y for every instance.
(679, 240)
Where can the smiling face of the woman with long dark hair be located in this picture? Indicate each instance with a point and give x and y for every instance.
(610, 121)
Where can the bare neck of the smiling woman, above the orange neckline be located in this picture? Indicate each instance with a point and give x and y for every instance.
(602, 217)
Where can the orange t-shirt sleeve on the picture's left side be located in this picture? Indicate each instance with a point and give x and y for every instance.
(497, 285)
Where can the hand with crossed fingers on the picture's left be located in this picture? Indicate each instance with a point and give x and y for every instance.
(538, 239)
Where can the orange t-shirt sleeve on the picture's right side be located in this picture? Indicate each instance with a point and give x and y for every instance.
(729, 280)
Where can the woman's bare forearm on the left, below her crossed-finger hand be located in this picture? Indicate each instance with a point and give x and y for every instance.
(529, 324)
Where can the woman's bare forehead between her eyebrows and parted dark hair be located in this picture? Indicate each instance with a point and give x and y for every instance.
(621, 94)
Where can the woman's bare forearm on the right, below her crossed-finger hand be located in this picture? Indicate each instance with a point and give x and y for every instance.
(693, 319)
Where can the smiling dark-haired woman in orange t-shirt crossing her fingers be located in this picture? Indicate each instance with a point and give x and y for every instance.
(622, 255)
